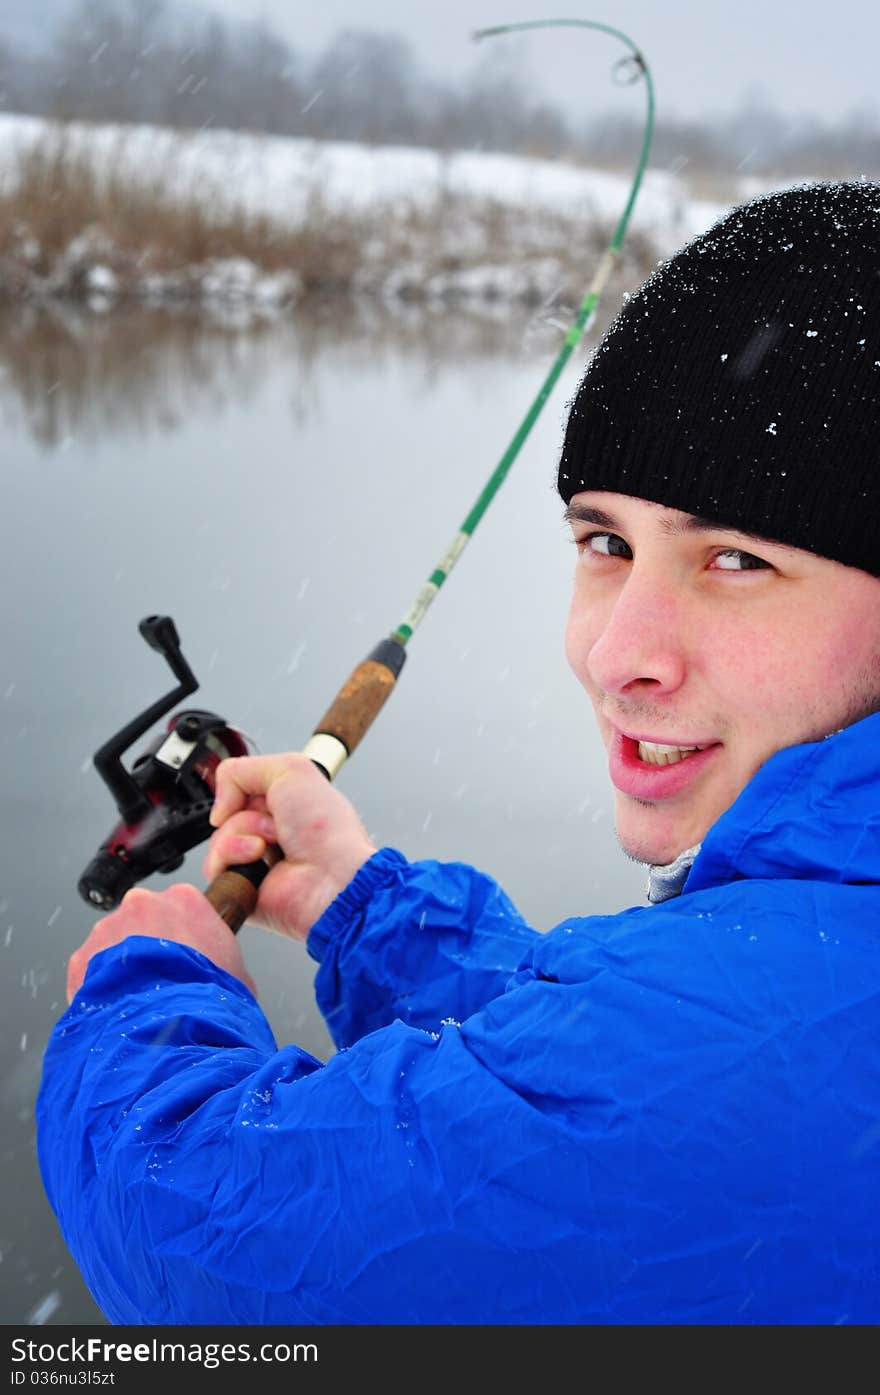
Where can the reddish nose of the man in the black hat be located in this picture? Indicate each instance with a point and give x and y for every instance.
(637, 641)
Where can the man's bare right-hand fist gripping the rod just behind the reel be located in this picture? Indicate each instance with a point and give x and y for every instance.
(285, 800)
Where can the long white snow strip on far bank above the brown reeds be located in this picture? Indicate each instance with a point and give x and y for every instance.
(281, 176)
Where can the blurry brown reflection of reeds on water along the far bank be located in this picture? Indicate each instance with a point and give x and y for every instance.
(68, 372)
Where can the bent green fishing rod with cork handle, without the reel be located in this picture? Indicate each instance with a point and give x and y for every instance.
(358, 704)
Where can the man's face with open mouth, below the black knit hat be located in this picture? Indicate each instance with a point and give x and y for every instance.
(688, 635)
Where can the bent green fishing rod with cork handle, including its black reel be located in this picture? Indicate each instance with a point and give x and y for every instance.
(165, 800)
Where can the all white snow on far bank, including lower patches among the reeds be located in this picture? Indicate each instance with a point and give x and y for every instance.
(291, 182)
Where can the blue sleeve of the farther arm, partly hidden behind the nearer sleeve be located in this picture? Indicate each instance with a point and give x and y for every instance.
(423, 942)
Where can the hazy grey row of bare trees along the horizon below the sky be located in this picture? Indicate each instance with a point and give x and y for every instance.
(137, 61)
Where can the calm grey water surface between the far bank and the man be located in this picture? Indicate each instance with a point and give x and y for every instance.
(281, 490)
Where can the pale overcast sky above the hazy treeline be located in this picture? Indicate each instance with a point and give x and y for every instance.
(706, 56)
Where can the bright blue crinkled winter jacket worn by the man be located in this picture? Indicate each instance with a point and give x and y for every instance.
(665, 1117)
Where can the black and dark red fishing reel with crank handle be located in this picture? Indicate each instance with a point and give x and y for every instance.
(165, 800)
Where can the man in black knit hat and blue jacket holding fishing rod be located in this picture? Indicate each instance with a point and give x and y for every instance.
(662, 1117)
